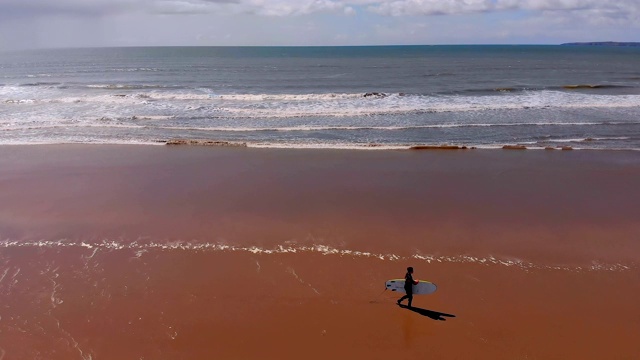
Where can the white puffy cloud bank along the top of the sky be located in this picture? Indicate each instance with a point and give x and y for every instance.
(620, 9)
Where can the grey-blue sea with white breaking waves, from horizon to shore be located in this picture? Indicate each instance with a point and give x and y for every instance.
(379, 97)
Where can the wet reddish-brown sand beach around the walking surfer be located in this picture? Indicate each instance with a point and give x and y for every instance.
(112, 252)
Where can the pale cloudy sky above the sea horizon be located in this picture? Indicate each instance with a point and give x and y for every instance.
(28, 24)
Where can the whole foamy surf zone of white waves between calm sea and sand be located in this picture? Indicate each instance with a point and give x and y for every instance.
(103, 116)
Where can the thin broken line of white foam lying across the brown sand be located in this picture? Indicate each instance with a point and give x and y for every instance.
(321, 249)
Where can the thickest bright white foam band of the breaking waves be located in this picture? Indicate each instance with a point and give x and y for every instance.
(332, 105)
